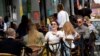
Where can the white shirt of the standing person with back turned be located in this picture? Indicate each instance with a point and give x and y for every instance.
(62, 18)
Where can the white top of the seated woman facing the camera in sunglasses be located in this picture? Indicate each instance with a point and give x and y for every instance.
(54, 38)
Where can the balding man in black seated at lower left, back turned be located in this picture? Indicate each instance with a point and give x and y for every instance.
(10, 45)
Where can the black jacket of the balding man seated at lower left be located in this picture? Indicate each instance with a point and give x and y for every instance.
(12, 46)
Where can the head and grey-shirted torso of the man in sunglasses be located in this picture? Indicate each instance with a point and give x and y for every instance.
(82, 29)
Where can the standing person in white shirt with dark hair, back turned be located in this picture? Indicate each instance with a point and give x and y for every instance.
(62, 16)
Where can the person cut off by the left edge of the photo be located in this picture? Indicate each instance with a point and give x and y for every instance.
(3, 27)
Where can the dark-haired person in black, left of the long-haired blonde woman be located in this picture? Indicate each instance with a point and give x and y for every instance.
(22, 29)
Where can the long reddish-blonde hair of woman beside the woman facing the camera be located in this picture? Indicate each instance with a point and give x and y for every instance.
(68, 28)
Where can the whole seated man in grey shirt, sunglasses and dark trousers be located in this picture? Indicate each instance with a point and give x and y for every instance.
(84, 33)
